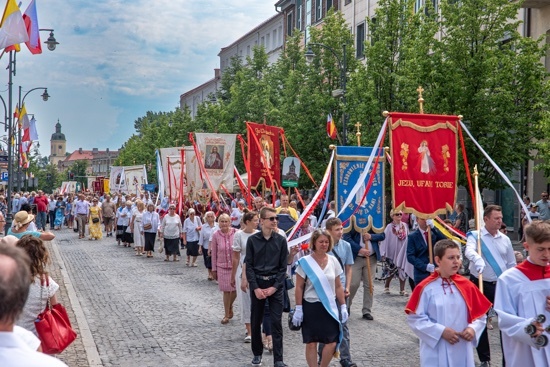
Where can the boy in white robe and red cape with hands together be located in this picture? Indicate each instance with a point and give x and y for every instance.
(447, 312)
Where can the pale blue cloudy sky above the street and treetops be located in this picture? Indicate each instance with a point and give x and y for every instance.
(118, 59)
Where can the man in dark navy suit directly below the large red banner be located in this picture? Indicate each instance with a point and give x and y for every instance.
(417, 249)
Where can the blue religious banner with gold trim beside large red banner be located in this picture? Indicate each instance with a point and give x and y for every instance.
(368, 214)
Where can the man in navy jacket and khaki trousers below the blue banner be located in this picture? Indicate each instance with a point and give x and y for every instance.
(364, 247)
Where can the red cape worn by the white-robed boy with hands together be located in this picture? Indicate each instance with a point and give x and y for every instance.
(476, 303)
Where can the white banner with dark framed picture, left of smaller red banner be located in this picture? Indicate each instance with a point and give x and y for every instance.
(218, 158)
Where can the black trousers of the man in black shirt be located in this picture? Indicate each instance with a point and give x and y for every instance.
(275, 302)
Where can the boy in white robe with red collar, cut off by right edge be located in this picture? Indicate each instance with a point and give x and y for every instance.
(522, 293)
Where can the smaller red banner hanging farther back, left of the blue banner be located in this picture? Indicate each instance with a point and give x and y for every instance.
(264, 155)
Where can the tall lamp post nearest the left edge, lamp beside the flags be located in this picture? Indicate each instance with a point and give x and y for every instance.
(52, 43)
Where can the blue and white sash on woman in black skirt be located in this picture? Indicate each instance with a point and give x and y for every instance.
(322, 288)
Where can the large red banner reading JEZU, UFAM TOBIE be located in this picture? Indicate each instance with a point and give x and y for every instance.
(424, 163)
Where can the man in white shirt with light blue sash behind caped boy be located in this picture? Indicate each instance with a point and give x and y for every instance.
(497, 256)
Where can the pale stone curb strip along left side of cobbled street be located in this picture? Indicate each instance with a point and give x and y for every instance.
(85, 334)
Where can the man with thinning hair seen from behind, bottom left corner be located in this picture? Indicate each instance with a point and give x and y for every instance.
(14, 290)
